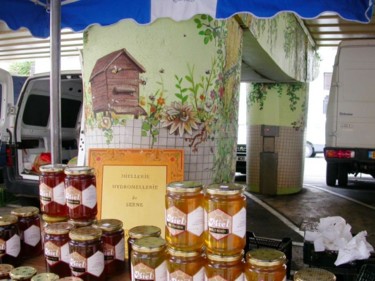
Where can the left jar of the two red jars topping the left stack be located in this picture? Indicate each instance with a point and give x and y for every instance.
(52, 190)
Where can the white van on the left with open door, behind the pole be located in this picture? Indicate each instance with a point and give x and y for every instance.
(25, 127)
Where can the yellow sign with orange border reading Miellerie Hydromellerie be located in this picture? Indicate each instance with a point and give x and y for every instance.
(131, 183)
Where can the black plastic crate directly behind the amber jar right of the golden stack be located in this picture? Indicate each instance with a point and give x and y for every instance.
(284, 245)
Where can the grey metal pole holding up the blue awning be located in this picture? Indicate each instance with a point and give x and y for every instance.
(55, 81)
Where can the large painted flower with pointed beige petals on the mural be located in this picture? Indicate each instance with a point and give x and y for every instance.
(180, 119)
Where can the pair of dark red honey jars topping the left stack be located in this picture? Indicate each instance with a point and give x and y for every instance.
(68, 191)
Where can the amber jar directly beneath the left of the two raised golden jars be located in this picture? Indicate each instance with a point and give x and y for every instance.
(185, 265)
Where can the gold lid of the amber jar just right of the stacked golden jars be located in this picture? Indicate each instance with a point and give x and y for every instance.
(265, 257)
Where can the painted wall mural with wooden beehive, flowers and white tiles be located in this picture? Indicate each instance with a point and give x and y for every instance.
(166, 85)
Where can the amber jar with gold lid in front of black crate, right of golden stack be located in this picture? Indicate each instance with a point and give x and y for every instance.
(265, 264)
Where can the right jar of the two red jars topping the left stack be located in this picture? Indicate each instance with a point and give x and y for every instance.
(80, 193)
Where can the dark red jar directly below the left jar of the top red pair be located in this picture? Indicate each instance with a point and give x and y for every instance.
(56, 248)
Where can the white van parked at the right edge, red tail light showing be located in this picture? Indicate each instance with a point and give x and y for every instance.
(350, 122)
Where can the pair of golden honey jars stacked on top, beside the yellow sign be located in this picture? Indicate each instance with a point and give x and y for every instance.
(215, 218)
